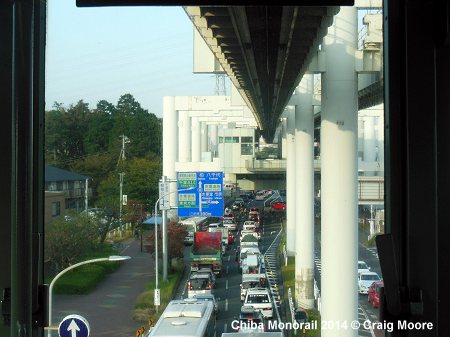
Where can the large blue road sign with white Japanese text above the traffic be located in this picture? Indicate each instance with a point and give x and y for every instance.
(206, 199)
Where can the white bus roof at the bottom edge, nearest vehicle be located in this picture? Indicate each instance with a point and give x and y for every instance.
(186, 318)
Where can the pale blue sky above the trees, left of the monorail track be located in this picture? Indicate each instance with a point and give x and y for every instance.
(102, 53)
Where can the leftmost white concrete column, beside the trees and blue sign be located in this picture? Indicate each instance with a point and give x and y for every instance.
(170, 143)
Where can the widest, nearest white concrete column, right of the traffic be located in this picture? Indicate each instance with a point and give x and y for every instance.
(339, 223)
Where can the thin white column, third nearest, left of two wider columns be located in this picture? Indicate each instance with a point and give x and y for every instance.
(290, 183)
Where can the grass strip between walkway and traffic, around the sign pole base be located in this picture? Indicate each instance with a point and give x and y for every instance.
(144, 310)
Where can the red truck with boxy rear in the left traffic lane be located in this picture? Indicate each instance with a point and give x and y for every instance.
(207, 252)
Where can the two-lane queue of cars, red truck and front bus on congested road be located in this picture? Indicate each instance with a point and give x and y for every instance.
(197, 312)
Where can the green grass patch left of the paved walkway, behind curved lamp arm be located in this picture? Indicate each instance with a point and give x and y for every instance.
(85, 278)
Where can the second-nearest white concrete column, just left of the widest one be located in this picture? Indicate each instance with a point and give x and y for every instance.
(304, 199)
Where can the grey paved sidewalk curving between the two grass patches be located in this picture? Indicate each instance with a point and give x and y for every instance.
(109, 307)
